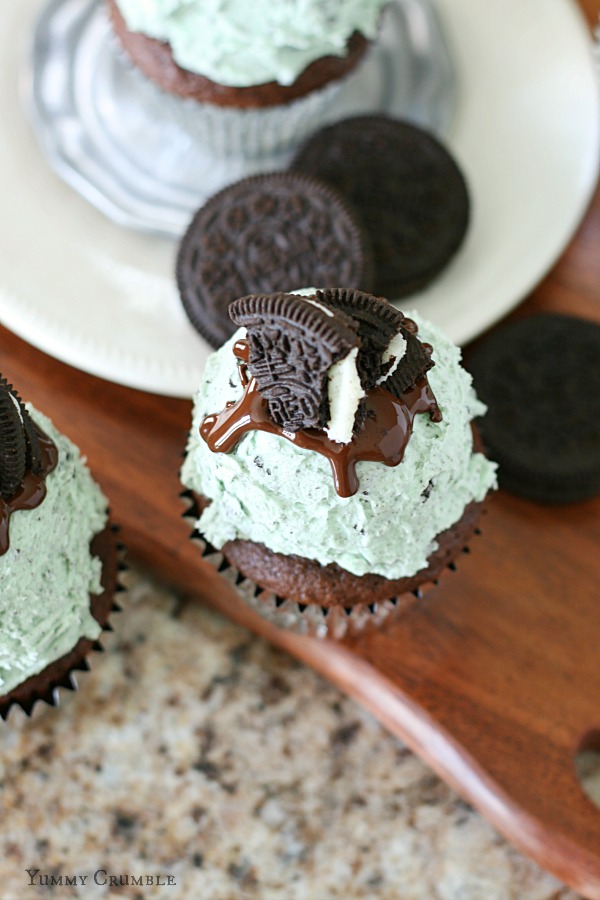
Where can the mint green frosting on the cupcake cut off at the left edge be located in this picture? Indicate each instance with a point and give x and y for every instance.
(48, 573)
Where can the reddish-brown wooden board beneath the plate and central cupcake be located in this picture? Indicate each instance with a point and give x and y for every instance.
(494, 679)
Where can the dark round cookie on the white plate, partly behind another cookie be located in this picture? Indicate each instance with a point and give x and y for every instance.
(406, 186)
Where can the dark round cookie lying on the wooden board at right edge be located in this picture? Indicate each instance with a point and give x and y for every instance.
(541, 382)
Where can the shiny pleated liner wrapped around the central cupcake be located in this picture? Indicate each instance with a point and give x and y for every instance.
(333, 622)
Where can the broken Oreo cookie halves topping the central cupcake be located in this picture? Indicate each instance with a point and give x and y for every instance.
(295, 341)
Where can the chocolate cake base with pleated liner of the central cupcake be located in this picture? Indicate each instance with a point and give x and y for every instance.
(282, 589)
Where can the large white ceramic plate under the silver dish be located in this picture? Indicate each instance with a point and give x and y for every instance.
(526, 131)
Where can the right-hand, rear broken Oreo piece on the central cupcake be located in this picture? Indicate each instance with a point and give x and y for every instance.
(391, 353)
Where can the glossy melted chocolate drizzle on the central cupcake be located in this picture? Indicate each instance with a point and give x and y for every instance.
(383, 437)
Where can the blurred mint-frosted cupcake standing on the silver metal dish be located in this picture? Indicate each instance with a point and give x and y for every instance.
(247, 80)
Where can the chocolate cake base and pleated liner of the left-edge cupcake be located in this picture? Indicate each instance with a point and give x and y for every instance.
(46, 685)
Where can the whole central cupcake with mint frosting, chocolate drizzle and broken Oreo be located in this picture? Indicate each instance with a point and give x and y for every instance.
(332, 457)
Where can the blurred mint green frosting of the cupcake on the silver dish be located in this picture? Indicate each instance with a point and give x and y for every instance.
(241, 43)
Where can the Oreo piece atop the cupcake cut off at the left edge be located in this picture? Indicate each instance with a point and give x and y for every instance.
(19, 445)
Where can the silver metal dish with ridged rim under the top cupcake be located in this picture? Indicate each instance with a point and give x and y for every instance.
(106, 134)
